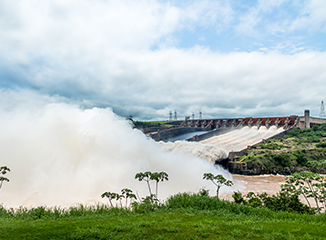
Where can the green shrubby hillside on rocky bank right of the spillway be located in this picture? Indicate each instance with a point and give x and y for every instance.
(299, 150)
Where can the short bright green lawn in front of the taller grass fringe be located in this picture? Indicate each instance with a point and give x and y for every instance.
(163, 225)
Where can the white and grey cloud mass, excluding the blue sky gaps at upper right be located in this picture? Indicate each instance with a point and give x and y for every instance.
(98, 53)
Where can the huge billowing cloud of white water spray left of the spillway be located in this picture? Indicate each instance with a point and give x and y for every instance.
(61, 155)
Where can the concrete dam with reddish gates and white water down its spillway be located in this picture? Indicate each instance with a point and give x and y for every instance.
(230, 136)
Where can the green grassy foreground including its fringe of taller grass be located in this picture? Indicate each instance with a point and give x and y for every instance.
(172, 220)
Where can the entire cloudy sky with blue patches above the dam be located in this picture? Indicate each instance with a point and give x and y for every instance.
(145, 58)
